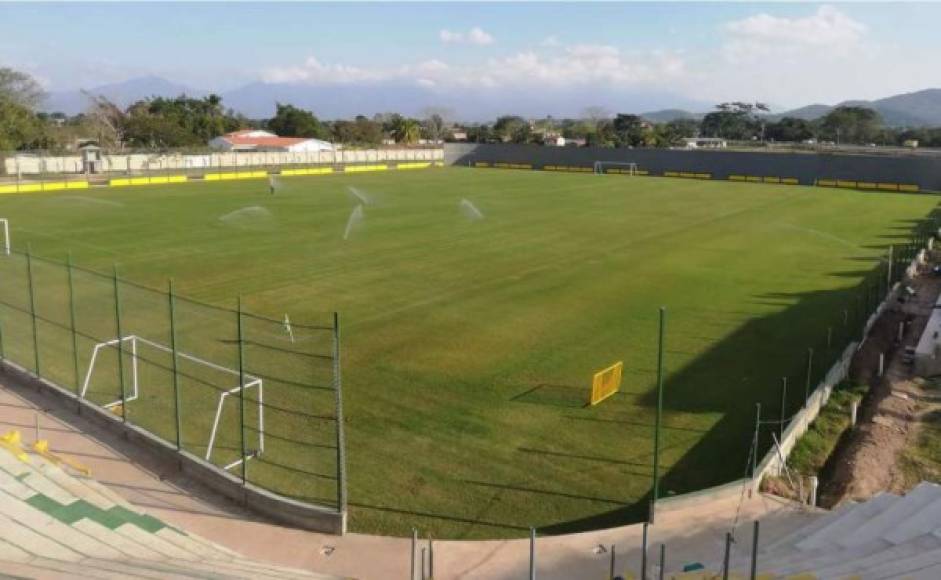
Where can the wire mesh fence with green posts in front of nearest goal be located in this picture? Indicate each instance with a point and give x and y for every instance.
(256, 396)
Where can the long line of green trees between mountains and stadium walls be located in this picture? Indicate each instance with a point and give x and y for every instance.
(183, 121)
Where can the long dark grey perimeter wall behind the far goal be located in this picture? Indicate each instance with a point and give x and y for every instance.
(805, 167)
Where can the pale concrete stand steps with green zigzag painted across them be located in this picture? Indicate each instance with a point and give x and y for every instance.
(57, 521)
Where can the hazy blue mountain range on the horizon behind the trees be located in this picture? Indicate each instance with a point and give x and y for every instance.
(257, 100)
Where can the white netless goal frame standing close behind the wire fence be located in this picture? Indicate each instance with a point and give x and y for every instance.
(134, 342)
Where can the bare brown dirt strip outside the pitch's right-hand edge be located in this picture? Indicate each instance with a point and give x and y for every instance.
(870, 459)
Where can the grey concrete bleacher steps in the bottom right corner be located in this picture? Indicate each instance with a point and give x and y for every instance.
(888, 536)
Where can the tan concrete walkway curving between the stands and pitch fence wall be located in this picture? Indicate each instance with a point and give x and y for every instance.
(693, 534)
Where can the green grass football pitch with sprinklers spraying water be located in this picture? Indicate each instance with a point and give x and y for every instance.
(469, 340)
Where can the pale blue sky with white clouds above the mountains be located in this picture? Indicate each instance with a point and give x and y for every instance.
(789, 54)
